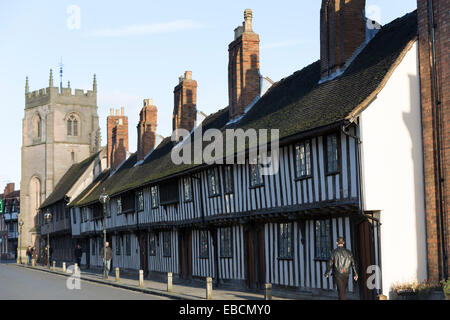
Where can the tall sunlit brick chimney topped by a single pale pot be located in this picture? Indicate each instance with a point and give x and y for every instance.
(243, 68)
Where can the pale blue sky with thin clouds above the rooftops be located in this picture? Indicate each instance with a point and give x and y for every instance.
(138, 49)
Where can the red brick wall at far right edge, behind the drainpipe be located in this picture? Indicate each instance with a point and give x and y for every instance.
(435, 246)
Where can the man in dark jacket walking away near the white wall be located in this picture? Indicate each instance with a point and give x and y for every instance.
(340, 261)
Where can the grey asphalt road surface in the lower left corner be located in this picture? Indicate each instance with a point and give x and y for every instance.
(18, 283)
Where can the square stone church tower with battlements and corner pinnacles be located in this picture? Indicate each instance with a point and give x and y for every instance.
(60, 128)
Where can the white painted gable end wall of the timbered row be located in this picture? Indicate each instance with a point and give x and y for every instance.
(393, 173)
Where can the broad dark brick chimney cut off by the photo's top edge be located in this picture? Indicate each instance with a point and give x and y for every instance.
(342, 31)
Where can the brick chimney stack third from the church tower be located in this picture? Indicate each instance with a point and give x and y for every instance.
(185, 103)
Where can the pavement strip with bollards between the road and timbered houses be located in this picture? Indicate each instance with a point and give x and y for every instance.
(180, 291)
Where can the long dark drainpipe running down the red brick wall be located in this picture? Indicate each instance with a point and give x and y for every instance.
(437, 128)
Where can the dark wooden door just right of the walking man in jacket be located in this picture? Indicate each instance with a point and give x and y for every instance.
(367, 257)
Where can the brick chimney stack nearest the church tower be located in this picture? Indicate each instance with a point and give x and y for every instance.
(117, 134)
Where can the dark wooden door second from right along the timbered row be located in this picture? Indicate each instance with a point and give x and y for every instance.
(254, 253)
